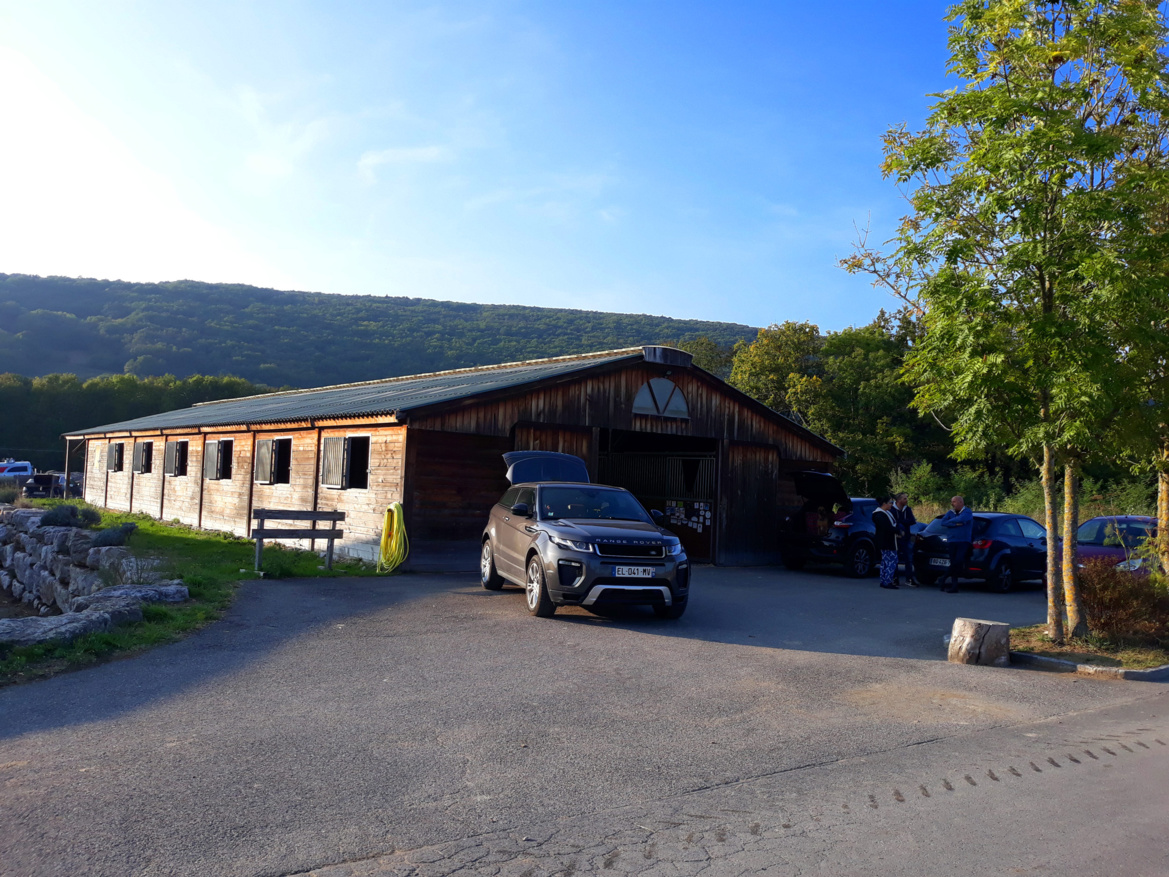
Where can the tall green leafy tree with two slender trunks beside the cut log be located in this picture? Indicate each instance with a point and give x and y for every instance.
(1028, 189)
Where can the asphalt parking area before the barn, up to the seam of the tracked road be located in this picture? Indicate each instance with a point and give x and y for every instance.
(336, 721)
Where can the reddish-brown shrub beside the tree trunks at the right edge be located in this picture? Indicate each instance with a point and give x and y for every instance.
(1123, 606)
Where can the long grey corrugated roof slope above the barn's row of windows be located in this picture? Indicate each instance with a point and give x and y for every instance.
(392, 396)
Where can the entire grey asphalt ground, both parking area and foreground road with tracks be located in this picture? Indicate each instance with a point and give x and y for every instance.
(791, 723)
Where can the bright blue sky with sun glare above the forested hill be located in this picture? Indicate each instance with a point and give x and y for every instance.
(691, 160)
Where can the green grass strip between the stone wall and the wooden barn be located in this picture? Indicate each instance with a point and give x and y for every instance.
(212, 567)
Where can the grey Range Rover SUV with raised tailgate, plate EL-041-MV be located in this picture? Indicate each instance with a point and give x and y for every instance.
(571, 543)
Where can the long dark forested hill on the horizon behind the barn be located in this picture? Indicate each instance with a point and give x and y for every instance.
(89, 328)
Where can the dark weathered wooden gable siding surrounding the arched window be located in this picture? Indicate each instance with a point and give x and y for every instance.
(606, 399)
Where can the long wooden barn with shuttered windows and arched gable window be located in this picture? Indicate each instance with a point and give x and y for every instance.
(646, 419)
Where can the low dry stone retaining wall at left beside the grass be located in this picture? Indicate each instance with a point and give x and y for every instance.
(75, 588)
